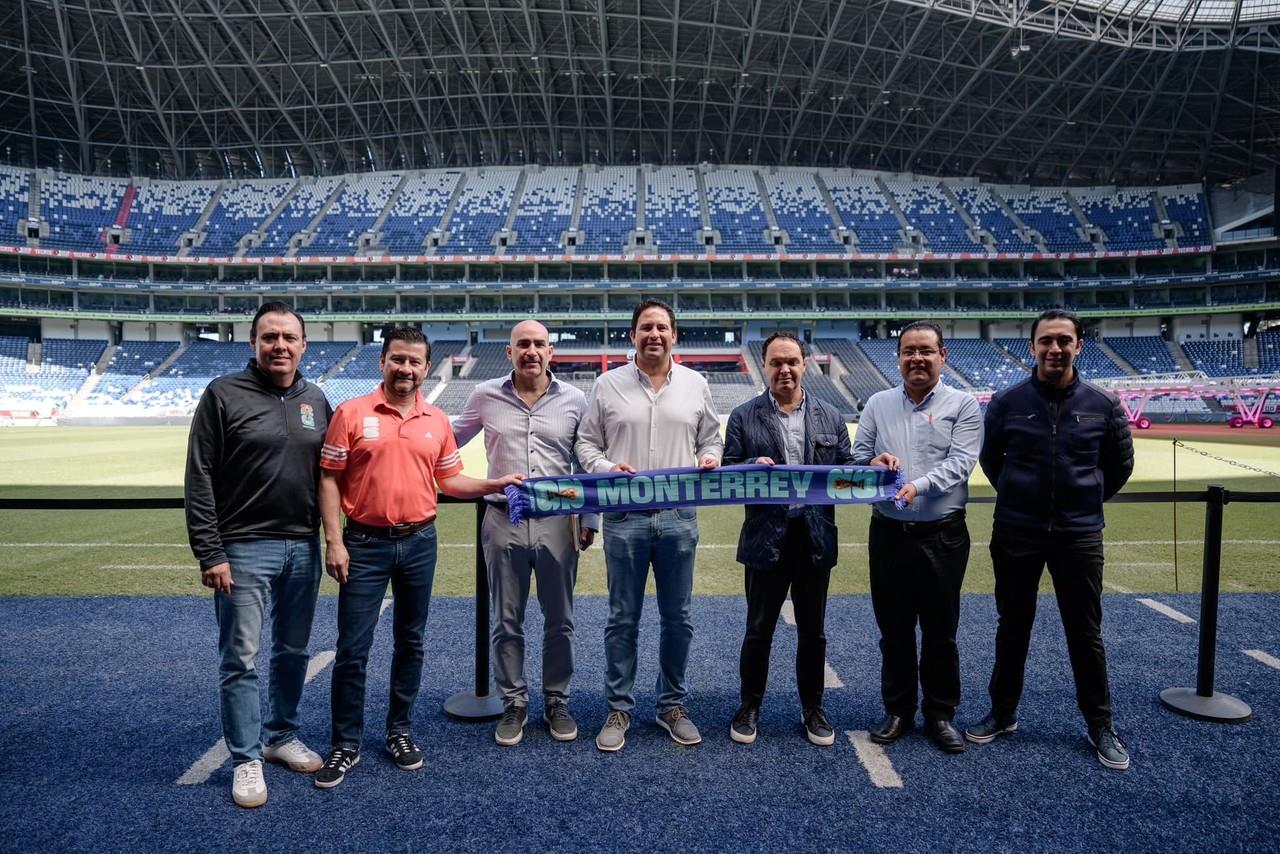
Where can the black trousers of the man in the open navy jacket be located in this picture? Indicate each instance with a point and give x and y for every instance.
(766, 592)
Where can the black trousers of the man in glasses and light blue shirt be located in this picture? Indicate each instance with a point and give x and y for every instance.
(917, 570)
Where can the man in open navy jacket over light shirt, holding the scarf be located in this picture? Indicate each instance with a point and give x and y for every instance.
(787, 547)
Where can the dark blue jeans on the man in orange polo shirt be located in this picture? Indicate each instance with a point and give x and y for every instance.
(409, 565)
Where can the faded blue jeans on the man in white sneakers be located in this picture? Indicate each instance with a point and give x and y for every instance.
(290, 572)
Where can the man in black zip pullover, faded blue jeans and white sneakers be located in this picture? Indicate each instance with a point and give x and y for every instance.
(254, 520)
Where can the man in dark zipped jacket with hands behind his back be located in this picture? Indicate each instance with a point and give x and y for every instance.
(1057, 447)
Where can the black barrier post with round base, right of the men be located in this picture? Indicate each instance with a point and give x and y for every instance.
(1203, 702)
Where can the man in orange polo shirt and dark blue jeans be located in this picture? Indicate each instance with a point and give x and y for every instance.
(381, 464)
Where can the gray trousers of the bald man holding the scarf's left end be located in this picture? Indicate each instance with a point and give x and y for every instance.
(542, 549)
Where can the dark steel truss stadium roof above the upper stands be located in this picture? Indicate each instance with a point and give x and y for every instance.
(1020, 92)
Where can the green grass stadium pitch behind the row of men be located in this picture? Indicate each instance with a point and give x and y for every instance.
(145, 552)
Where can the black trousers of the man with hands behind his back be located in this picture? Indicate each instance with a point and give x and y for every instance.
(1076, 565)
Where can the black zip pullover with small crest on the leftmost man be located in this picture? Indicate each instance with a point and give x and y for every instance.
(253, 463)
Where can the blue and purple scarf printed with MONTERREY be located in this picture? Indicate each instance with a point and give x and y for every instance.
(664, 488)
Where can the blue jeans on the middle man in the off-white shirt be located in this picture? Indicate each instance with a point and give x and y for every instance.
(666, 540)
